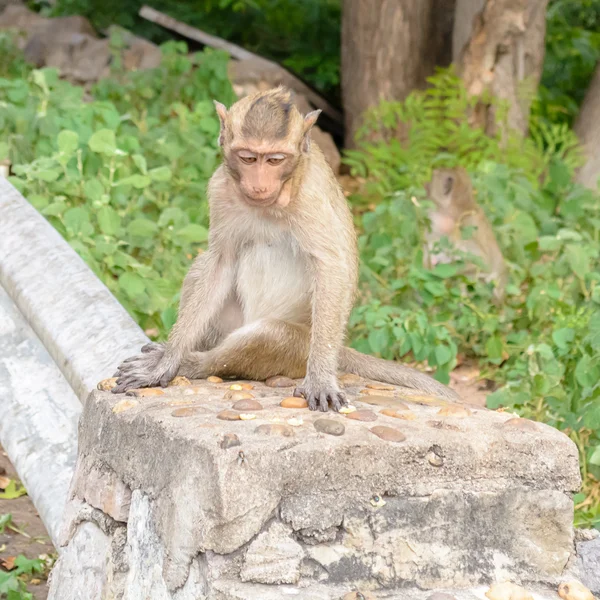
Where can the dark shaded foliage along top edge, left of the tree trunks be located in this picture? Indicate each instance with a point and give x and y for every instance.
(302, 34)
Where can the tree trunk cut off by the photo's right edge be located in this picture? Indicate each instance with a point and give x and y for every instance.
(587, 127)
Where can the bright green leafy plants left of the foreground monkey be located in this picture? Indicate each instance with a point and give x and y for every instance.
(123, 177)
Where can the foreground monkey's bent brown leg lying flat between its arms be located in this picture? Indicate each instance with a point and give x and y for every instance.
(259, 350)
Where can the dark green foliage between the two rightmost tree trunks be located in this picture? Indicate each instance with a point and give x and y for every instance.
(572, 51)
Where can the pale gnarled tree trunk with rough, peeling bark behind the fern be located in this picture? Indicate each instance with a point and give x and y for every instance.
(504, 55)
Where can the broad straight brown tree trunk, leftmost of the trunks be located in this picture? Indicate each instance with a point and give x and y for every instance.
(389, 48)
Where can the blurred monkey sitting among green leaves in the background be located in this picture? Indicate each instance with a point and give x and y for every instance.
(455, 208)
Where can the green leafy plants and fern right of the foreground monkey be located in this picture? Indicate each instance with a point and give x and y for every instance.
(543, 345)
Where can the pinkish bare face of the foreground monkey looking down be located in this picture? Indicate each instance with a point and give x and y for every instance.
(261, 174)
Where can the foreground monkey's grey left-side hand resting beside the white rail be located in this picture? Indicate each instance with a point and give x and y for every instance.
(150, 368)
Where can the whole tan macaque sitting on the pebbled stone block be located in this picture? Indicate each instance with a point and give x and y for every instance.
(273, 292)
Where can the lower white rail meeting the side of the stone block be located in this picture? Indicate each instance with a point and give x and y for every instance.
(38, 416)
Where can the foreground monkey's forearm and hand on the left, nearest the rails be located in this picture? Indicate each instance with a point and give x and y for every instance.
(205, 289)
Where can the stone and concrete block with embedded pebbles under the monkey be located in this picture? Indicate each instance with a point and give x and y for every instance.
(170, 501)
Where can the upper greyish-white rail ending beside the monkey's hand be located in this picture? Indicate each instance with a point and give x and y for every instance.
(85, 330)
